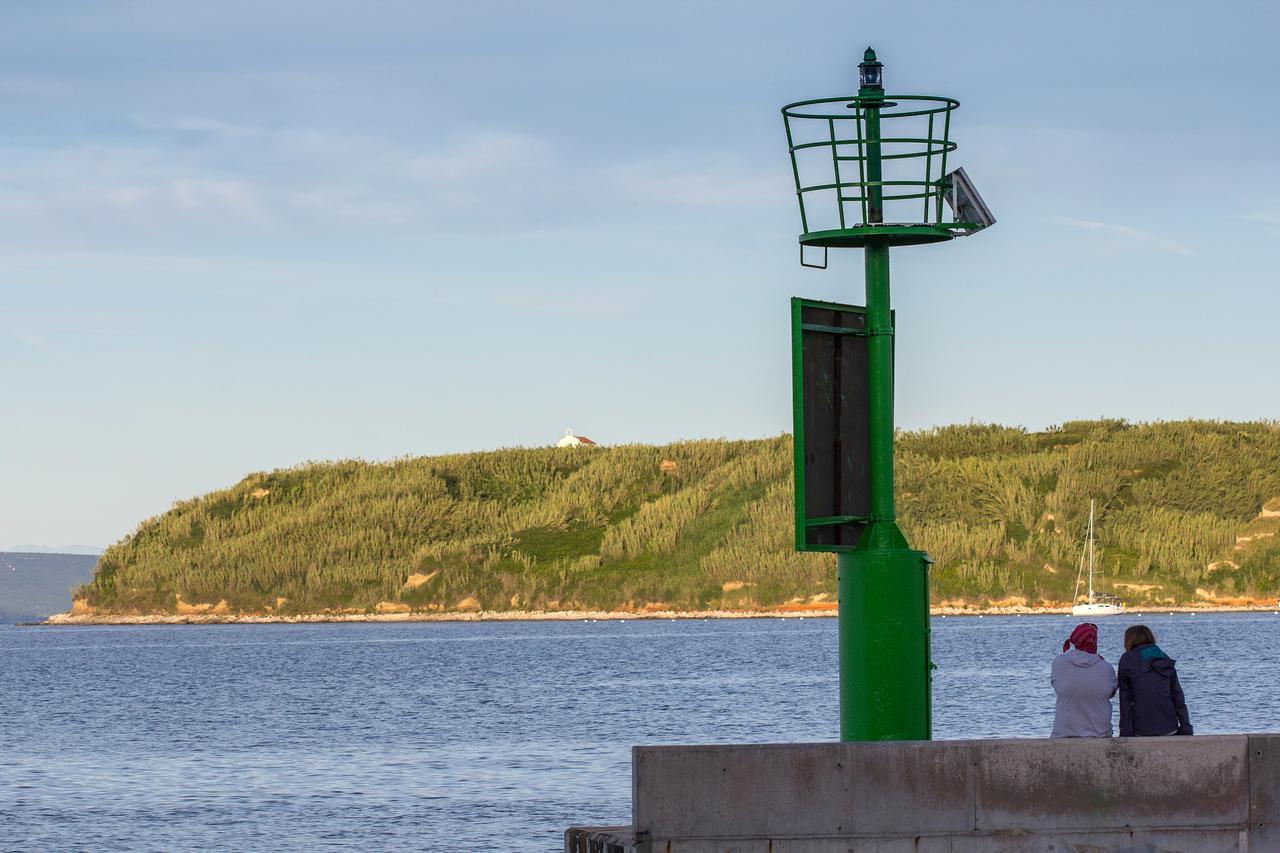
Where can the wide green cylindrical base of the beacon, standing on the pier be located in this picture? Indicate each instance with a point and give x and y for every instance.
(885, 668)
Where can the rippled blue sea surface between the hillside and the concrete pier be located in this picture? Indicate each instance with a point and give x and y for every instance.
(479, 737)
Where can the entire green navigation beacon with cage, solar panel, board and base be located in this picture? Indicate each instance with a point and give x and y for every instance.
(871, 172)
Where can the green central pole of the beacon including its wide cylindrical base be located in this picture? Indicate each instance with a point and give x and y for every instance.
(885, 669)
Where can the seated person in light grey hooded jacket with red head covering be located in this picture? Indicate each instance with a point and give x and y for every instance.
(1085, 685)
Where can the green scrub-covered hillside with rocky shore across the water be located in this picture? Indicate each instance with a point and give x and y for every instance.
(1187, 512)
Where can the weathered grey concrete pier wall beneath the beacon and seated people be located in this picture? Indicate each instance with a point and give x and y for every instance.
(1133, 795)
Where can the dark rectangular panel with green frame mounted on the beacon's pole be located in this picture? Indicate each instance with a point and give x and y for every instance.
(833, 457)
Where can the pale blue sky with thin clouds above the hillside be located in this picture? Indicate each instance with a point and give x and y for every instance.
(241, 236)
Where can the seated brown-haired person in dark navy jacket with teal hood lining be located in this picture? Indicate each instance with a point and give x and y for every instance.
(1151, 699)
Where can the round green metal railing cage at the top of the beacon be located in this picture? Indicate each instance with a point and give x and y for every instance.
(838, 145)
